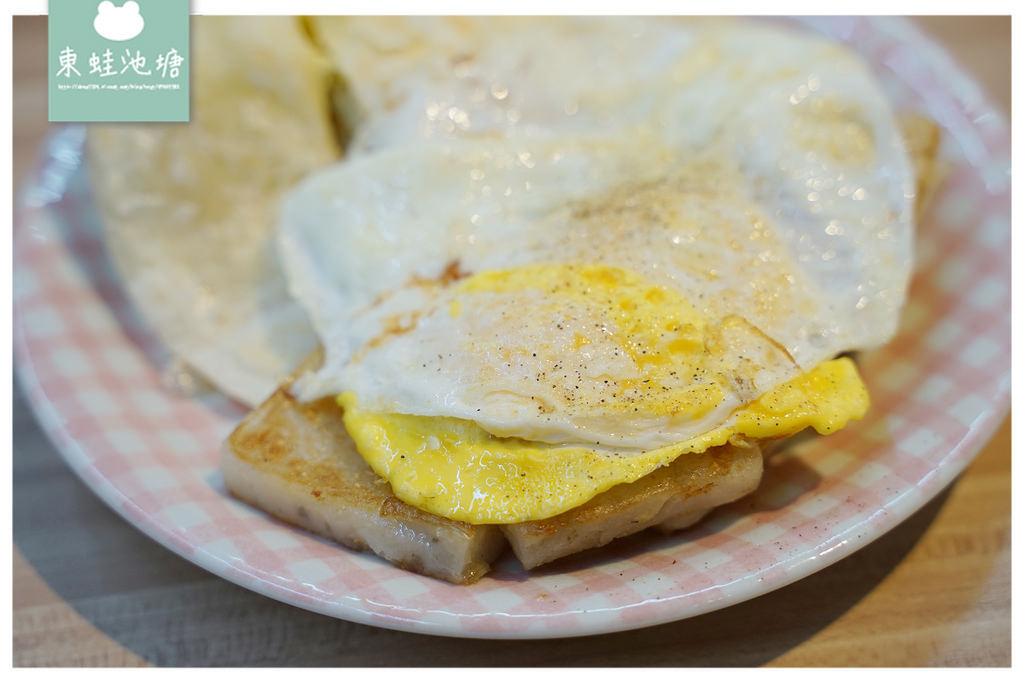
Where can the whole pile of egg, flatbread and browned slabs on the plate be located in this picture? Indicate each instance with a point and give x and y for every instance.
(517, 282)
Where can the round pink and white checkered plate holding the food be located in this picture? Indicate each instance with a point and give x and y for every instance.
(104, 389)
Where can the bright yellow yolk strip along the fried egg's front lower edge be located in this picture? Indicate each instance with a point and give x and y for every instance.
(455, 469)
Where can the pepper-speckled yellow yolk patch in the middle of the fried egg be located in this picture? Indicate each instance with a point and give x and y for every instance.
(628, 345)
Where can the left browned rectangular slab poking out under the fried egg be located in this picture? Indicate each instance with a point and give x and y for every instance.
(297, 462)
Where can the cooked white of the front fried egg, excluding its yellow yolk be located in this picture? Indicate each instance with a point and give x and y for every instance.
(757, 174)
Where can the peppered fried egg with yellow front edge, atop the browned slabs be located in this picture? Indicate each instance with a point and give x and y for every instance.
(516, 323)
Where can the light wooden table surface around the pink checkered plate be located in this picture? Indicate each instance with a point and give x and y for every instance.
(91, 590)
